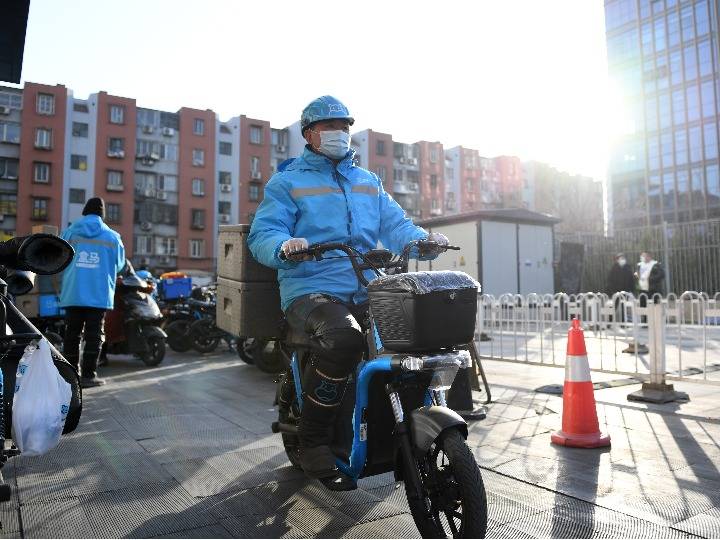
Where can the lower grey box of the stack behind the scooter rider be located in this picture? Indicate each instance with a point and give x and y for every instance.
(249, 309)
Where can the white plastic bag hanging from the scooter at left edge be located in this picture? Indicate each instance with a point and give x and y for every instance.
(41, 401)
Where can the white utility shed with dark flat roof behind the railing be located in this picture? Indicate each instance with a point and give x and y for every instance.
(507, 251)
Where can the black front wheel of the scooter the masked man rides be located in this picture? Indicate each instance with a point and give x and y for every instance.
(454, 502)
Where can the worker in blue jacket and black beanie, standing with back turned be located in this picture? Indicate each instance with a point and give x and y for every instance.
(88, 287)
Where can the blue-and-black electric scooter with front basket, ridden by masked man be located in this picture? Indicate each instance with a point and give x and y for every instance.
(417, 330)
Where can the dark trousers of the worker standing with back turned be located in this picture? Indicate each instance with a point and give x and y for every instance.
(89, 323)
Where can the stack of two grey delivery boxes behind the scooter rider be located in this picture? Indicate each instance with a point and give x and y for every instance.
(248, 295)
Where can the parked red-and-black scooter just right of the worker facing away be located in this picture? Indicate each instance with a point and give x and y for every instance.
(133, 325)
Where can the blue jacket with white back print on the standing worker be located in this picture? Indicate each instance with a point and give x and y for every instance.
(89, 281)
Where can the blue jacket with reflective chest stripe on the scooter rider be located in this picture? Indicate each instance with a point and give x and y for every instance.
(313, 199)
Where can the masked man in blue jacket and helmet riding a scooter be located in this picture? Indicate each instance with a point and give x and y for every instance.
(322, 197)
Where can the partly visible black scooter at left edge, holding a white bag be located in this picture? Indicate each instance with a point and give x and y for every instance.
(20, 259)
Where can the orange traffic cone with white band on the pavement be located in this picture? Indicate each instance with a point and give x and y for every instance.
(580, 425)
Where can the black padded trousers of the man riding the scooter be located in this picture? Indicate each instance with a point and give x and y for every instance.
(335, 331)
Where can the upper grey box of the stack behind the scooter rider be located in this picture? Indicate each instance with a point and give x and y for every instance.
(234, 258)
